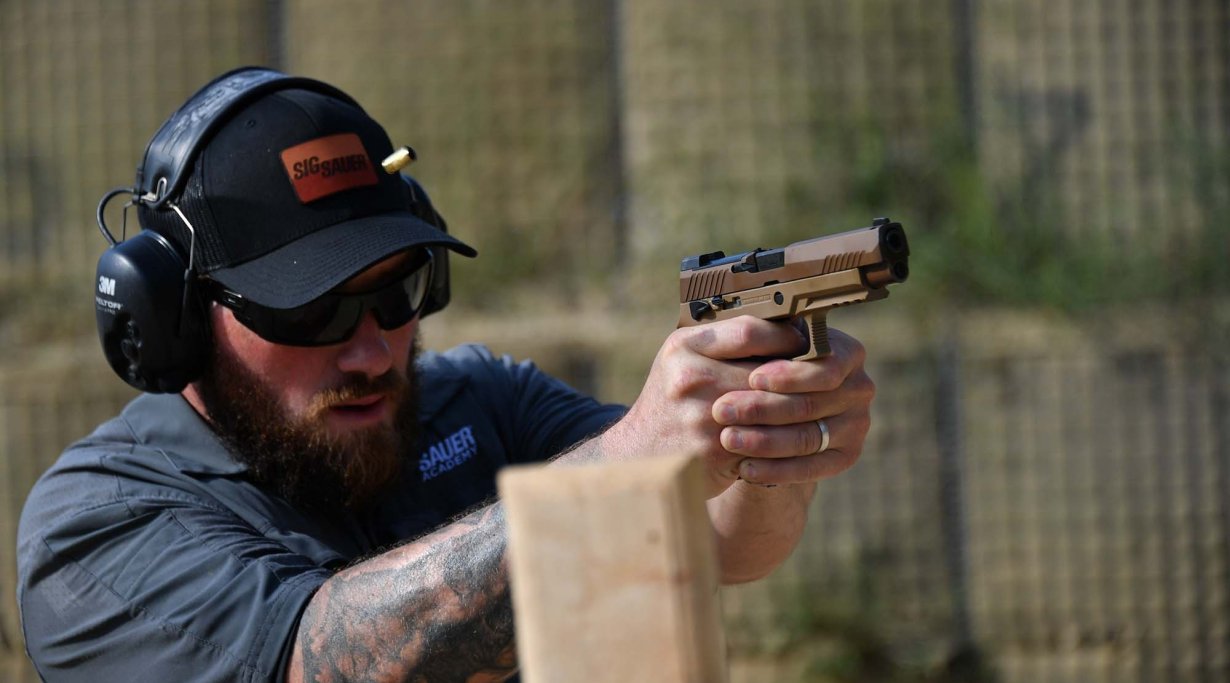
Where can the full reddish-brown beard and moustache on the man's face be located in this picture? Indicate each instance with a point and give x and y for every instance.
(296, 457)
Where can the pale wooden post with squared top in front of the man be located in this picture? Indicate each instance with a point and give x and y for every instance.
(614, 573)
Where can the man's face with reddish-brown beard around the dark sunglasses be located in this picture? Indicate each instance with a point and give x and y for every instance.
(323, 426)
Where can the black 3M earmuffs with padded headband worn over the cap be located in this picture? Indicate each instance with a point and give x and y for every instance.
(153, 327)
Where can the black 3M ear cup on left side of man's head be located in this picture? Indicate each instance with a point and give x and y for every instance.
(154, 333)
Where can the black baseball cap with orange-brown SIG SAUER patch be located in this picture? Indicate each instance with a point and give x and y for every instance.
(288, 200)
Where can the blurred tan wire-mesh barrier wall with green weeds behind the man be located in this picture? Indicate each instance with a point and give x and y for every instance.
(1046, 492)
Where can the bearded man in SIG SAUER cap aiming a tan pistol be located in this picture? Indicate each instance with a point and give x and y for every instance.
(306, 508)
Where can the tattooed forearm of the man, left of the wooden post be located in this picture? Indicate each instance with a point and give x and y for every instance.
(436, 610)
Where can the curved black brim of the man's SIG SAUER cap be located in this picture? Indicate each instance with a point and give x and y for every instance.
(313, 265)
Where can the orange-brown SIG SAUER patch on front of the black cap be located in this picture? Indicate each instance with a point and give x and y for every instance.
(329, 166)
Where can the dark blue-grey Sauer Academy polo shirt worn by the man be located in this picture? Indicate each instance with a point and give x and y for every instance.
(146, 553)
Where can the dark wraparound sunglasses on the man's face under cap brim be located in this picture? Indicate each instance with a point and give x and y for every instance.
(334, 317)
